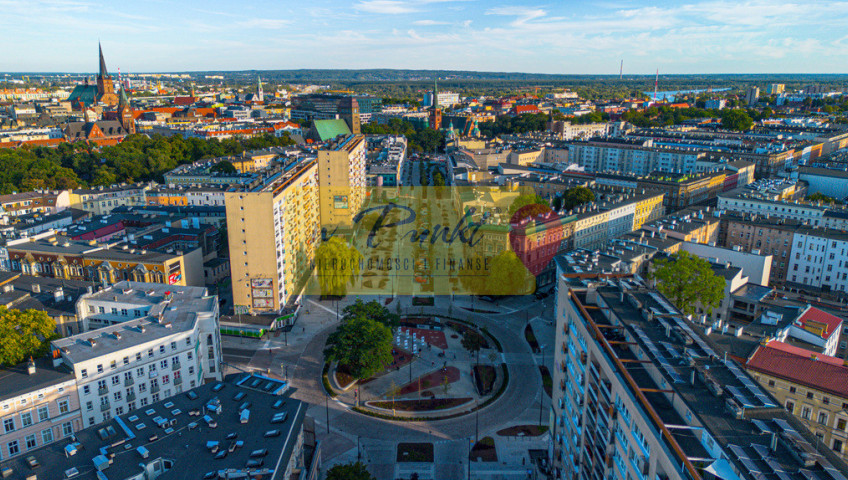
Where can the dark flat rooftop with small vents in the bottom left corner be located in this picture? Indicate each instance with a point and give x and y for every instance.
(182, 443)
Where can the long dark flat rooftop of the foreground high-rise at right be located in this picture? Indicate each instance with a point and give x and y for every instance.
(732, 408)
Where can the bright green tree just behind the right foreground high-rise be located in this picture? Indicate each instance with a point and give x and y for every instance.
(689, 282)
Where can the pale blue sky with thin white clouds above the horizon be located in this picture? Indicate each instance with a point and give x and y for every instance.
(562, 37)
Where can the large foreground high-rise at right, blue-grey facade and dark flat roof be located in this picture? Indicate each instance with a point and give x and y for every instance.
(641, 393)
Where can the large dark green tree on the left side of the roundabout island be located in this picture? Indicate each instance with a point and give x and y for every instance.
(362, 345)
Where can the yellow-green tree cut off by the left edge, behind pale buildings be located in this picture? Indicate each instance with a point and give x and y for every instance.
(24, 334)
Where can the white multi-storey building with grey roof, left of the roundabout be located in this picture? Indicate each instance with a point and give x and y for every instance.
(161, 340)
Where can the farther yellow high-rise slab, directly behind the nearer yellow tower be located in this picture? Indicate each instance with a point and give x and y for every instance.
(341, 175)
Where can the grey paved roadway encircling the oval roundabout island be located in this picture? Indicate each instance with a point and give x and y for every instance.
(300, 355)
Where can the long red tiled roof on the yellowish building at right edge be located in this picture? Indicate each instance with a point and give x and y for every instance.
(797, 365)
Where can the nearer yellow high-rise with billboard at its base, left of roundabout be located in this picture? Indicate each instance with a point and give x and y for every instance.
(273, 230)
